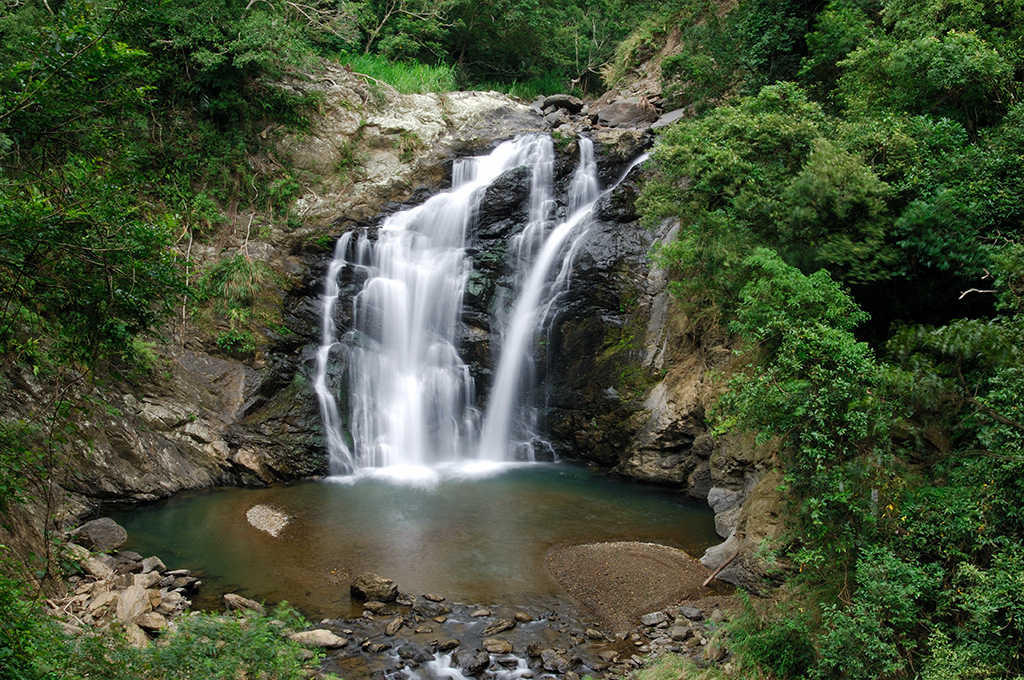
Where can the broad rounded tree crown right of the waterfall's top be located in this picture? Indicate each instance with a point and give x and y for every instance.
(765, 172)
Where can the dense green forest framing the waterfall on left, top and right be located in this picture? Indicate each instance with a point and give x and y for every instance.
(849, 188)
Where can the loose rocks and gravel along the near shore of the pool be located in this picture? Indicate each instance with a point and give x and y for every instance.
(401, 635)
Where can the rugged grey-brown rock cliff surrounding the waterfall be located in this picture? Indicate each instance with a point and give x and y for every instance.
(627, 376)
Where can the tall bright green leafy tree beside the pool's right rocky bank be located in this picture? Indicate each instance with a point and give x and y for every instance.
(812, 384)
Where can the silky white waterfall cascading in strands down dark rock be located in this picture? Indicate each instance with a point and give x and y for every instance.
(412, 401)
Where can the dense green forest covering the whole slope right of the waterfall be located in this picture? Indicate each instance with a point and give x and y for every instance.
(855, 175)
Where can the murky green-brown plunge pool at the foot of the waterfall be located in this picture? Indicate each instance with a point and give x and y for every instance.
(475, 534)
